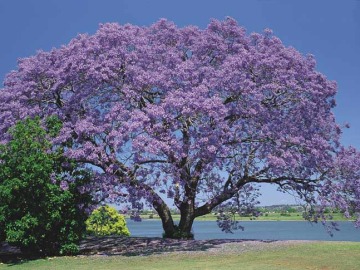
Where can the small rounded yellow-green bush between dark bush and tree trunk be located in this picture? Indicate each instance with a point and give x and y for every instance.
(106, 221)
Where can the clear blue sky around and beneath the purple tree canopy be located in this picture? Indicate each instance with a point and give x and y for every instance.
(329, 29)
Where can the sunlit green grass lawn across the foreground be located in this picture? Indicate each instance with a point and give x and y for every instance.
(315, 255)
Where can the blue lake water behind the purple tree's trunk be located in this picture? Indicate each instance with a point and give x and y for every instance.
(259, 230)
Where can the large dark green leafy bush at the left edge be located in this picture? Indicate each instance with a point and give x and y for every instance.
(36, 214)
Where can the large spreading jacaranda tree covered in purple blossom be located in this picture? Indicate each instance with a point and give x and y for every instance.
(195, 115)
